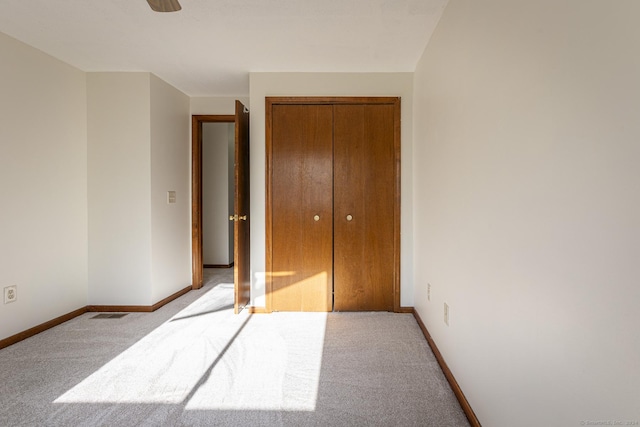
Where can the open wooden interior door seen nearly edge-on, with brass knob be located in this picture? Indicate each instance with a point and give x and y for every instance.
(241, 228)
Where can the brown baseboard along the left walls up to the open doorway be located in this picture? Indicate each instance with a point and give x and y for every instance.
(6, 342)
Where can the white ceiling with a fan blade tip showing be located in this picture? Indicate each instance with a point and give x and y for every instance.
(210, 46)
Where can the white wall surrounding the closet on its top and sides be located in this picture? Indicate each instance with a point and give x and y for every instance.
(325, 84)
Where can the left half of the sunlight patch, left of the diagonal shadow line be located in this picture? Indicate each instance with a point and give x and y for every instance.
(166, 365)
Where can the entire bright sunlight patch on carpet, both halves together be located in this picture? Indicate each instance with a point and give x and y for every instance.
(207, 358)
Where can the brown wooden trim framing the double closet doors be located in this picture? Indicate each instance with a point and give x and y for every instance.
(331, 100)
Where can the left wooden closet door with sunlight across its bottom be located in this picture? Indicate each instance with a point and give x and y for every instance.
(302, 207)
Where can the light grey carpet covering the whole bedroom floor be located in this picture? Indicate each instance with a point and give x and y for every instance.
(195, 363)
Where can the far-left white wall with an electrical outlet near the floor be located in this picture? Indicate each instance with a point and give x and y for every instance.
(43, 184)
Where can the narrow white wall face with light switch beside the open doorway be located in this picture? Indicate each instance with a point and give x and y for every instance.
(170, 171)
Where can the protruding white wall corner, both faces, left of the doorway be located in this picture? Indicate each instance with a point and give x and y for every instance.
(139, 149)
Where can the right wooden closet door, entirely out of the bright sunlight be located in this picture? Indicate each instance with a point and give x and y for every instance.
(364, 200)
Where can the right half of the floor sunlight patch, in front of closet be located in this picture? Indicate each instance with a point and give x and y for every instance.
(276, 366)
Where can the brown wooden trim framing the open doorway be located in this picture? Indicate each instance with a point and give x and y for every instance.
(196, 191)
